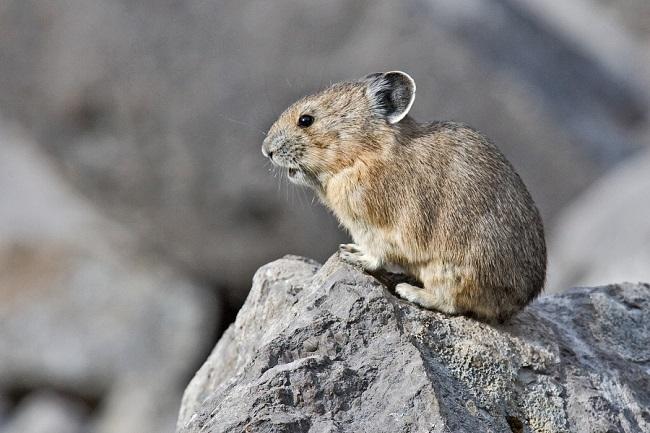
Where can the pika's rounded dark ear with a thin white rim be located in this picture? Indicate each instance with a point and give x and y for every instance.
(391, 94)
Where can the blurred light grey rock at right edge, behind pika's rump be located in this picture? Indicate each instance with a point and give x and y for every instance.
(603, 235)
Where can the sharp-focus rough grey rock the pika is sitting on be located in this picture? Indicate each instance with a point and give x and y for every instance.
(331, 349)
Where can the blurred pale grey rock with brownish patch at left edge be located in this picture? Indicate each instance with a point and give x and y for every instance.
(85, 313)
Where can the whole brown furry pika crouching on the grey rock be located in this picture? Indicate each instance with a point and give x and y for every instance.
(437, 199)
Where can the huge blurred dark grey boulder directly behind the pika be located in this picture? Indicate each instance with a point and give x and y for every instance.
(164, 132)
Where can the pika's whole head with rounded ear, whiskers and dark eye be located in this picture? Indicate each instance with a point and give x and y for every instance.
(324, 133)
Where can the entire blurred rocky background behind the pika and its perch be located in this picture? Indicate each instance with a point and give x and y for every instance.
(135, 204)
